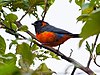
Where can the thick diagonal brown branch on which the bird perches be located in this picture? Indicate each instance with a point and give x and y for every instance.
(76, 64)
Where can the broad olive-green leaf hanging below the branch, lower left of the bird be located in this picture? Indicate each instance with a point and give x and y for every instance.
(25, 51)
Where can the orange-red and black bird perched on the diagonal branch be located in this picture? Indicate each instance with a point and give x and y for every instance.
(50, 35)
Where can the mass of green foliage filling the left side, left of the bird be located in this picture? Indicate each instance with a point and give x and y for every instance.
(29, 52)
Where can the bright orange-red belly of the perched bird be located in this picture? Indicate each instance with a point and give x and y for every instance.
(50, 39)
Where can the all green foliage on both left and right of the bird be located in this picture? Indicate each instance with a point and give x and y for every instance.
(29, 52)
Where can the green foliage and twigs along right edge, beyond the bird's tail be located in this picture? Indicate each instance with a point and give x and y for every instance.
(90, 13)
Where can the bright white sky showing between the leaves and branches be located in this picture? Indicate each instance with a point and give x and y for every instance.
(63, 14)
